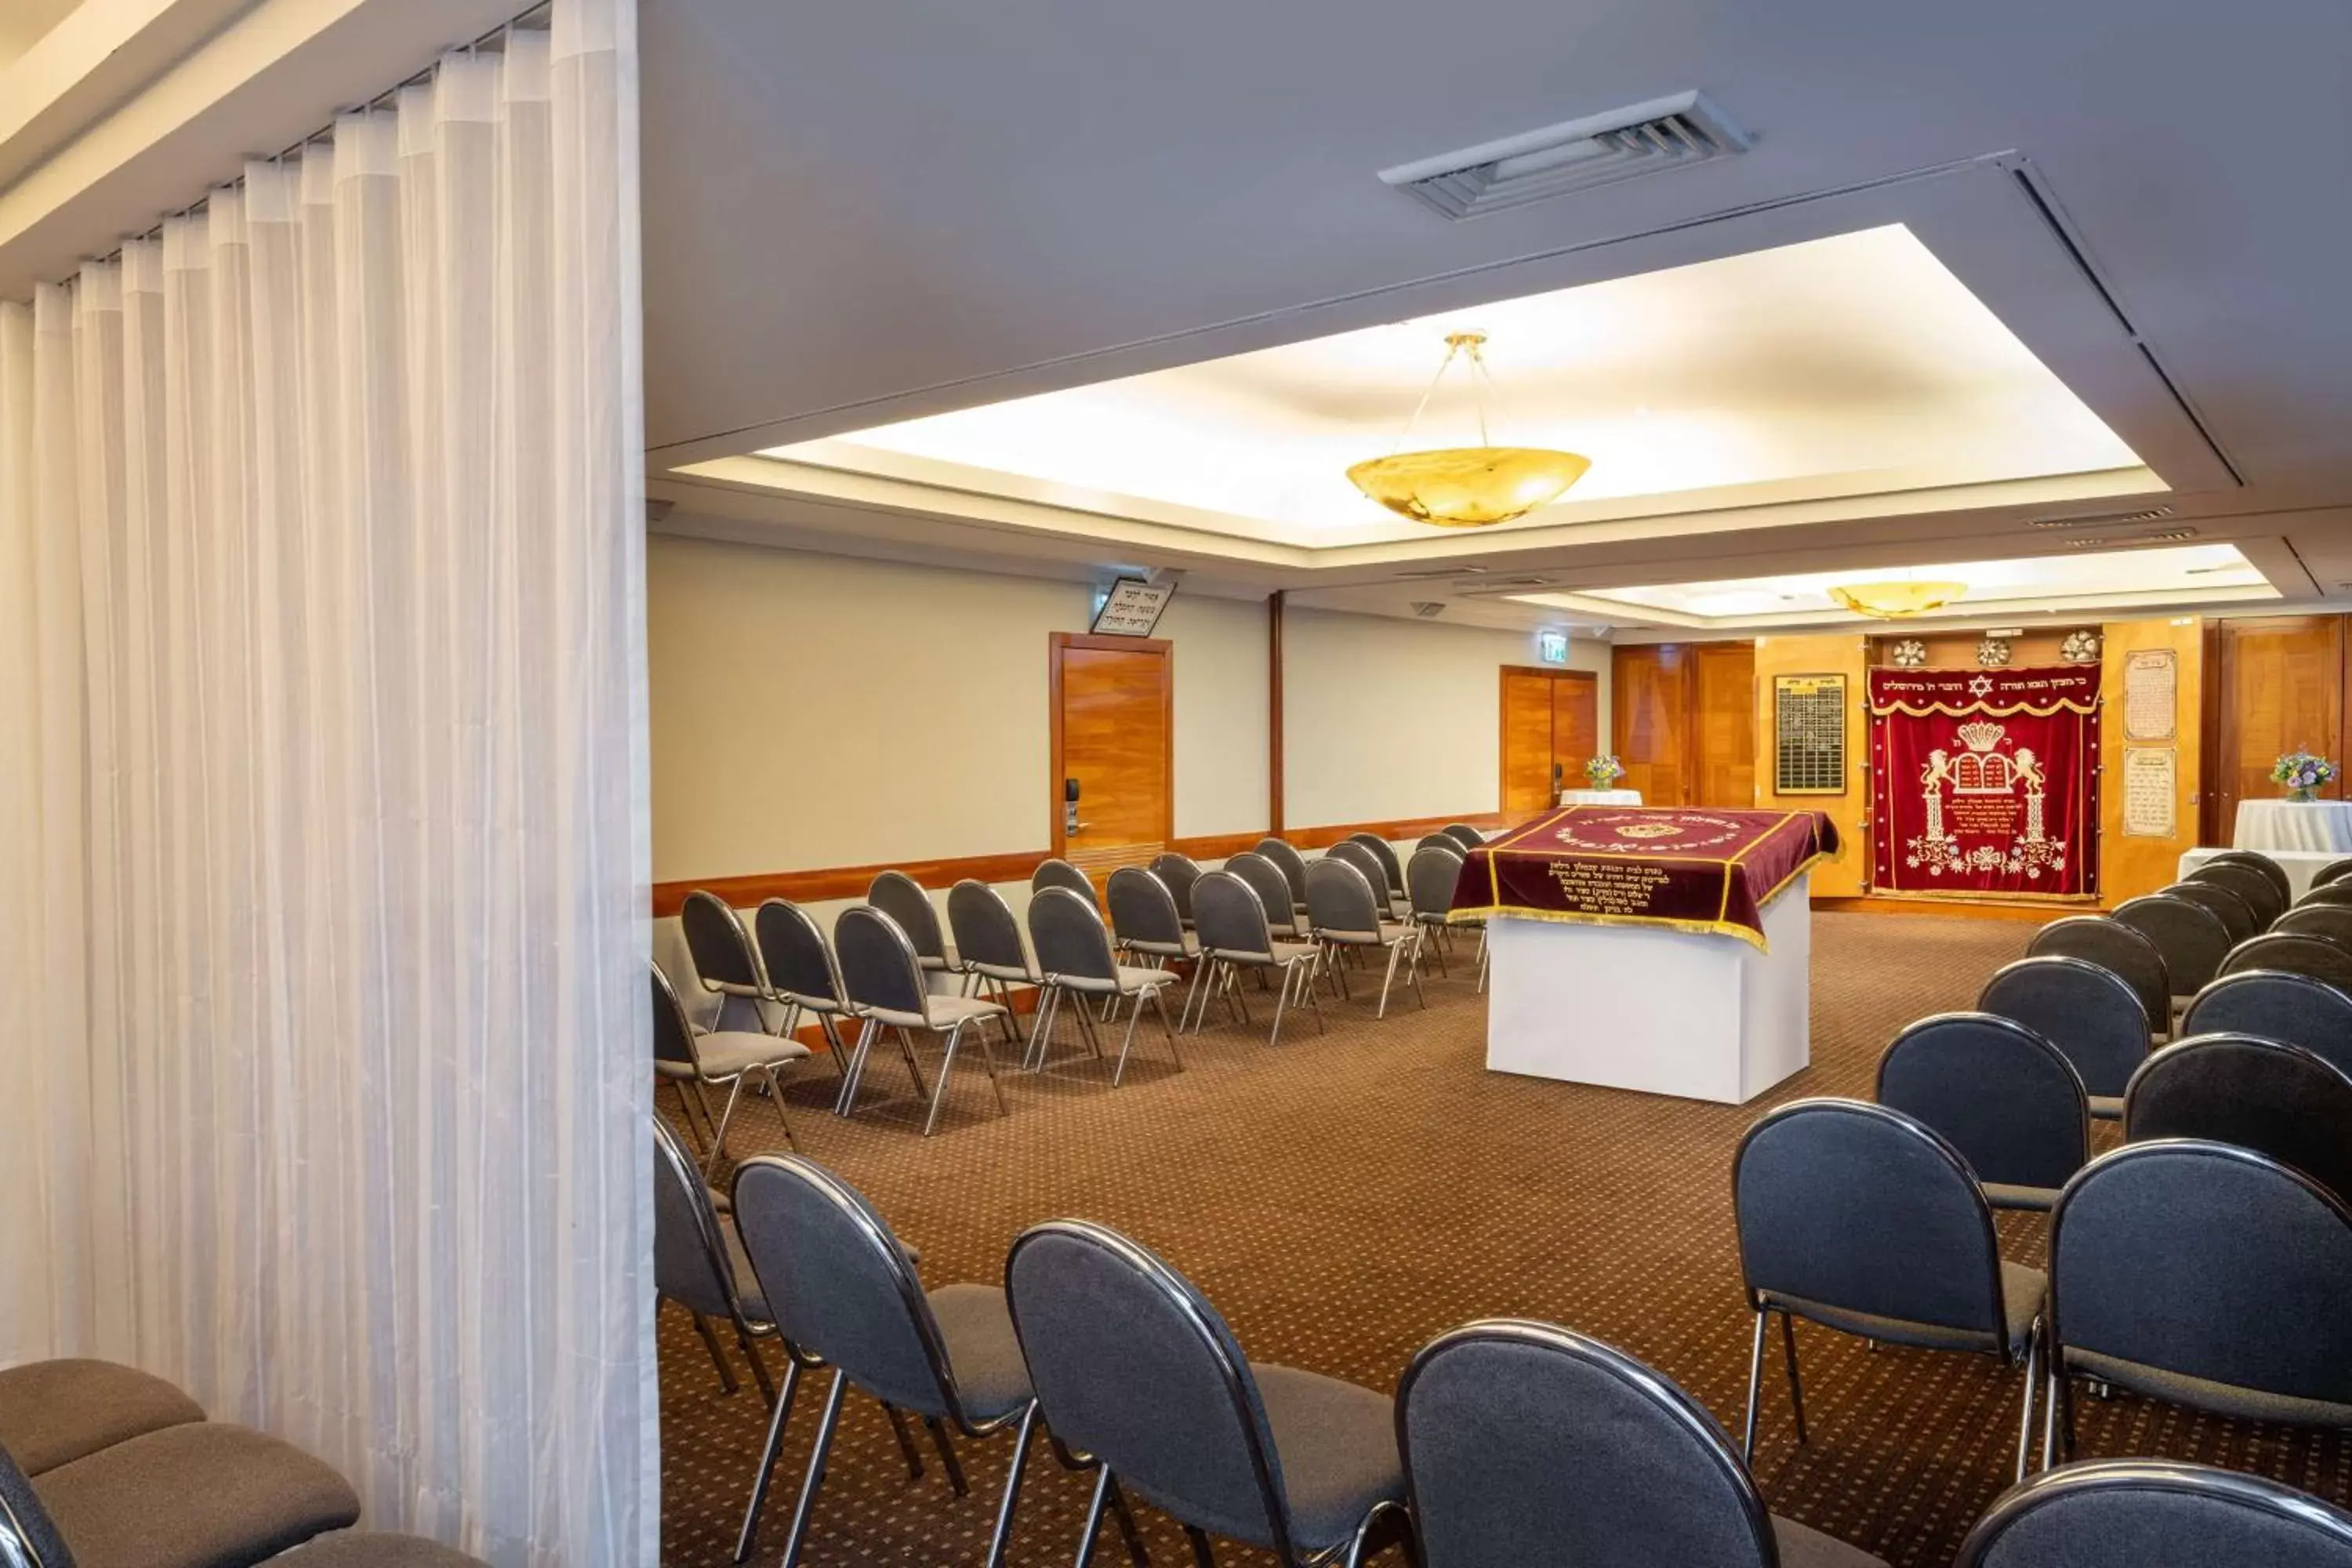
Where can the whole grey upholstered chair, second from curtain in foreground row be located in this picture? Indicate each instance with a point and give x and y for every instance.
(846, 1294)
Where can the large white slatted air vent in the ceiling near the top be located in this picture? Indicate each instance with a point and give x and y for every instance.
(1577, 156)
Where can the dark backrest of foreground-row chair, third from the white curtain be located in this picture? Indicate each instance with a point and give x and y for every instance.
(1135, 1367)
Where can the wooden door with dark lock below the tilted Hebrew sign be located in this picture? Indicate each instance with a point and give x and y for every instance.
(1114, 735)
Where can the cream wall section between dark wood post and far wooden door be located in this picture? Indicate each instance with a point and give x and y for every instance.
(1398, 718)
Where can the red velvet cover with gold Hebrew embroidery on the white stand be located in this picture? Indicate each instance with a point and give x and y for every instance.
(1645, 866)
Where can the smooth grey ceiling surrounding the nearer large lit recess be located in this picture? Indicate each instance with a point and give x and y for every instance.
(874, 215)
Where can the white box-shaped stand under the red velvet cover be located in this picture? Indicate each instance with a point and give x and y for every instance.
(1666, 1012)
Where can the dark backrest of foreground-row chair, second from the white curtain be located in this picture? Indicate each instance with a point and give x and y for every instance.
(838, 1282)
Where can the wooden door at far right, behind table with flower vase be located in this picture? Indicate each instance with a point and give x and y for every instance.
(2283, 688)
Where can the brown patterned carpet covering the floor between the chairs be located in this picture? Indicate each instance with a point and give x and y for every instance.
(1347, 1198)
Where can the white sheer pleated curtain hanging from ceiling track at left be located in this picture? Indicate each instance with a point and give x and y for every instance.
(323, 836)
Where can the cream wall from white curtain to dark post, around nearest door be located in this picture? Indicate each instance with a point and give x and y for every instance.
(820, 711)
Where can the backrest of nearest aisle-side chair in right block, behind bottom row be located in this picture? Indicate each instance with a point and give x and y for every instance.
(1859, 1207)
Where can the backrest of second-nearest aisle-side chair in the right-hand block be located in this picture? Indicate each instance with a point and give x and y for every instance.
(2000, 1094)
